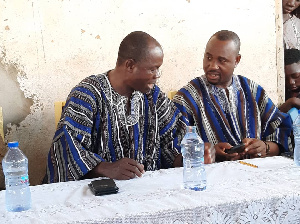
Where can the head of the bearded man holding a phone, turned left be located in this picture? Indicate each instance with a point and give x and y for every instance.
(221, 56)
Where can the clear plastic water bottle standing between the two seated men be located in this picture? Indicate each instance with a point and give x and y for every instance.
(192, 148)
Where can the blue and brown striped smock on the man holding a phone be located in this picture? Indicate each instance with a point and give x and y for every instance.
(247, 112)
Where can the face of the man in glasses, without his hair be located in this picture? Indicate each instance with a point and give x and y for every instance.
(146, 72)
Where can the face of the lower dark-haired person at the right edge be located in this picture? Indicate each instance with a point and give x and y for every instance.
(292, 78)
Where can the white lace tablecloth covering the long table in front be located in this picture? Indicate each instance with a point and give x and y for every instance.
(235, 193)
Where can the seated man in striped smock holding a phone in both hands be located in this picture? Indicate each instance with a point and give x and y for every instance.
(230, 109)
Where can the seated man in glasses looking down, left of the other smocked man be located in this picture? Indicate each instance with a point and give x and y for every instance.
(118, 124)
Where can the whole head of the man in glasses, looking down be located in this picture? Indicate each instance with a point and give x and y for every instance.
(141, 55)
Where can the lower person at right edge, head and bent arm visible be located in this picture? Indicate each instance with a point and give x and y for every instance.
(292, 80)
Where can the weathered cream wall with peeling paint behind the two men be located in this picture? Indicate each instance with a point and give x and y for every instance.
(47, 47)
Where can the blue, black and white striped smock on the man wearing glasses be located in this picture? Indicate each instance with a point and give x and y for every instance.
(94, 128)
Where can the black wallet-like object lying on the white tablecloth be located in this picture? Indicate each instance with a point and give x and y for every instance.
(103, 187)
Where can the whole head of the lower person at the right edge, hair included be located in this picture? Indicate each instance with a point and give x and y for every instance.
(292, 70)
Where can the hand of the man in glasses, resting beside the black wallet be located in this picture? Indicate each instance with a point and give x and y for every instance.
(123, 169)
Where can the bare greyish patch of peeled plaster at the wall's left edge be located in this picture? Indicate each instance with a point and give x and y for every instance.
(12, 100)
